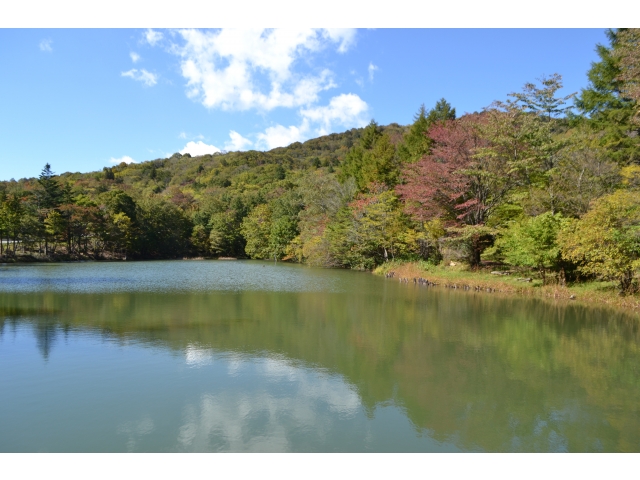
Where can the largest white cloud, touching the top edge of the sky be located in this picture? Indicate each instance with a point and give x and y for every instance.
(240, 69)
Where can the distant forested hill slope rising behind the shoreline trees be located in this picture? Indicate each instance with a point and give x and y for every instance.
(198, 175)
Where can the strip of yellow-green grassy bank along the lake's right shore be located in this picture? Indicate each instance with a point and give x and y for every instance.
(461, 277)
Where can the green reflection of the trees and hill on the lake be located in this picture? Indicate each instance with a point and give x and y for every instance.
(482, 372)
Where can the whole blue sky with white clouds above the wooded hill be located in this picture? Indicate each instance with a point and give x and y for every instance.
(84, 99)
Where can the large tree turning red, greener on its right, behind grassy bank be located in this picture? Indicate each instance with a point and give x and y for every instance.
(475, 163)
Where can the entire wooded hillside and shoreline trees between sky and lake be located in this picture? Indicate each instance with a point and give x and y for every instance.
(536, 181)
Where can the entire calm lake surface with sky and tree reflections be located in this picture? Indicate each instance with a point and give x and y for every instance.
(252, 356)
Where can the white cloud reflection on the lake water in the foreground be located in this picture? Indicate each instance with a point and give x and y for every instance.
(286, 402)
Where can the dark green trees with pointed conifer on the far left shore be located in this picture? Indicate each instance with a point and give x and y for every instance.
(55, 220)
